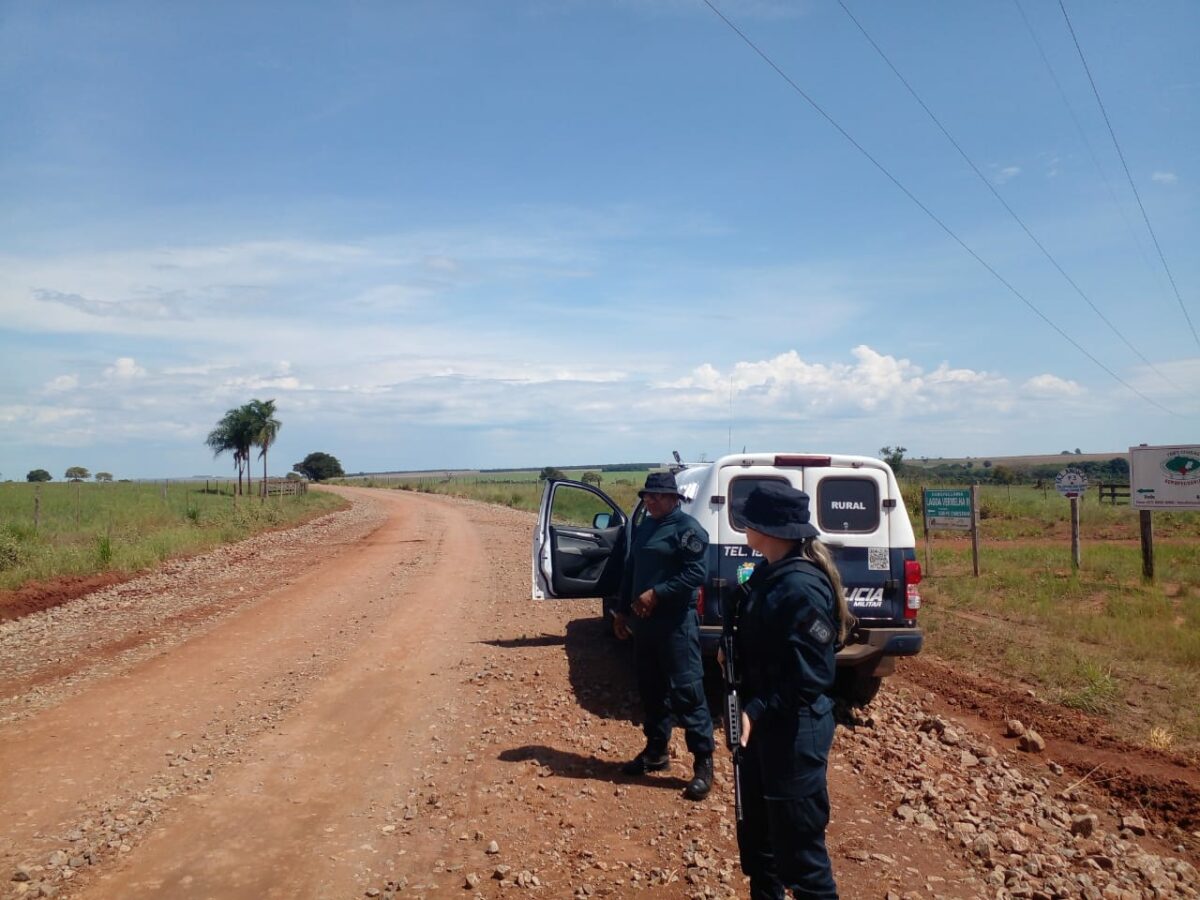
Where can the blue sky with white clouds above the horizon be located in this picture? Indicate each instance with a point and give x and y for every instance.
(555, 232)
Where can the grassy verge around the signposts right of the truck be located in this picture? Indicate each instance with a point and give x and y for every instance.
(1101, 640)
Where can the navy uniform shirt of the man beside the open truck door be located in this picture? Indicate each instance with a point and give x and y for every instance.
(670, 556)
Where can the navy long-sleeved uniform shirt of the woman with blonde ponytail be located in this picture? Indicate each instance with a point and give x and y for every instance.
(788, 635)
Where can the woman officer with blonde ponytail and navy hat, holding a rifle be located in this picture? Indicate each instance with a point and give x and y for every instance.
(791, 620)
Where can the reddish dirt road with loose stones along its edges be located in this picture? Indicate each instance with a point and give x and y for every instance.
(371, 706)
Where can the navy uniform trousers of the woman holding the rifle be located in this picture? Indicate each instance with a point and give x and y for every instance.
(787, 807)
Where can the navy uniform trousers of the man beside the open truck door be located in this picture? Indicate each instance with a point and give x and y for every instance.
(671, 683)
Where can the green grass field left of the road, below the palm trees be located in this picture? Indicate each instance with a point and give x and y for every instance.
(89, 529)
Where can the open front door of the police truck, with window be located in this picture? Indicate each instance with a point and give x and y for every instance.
(579, 547)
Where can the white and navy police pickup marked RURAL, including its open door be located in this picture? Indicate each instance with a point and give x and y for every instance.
(583, 536)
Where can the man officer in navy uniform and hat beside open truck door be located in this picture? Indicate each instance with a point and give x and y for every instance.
(668, 565)
